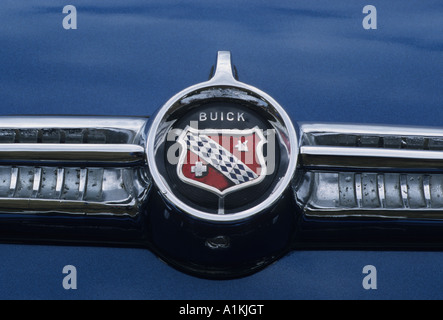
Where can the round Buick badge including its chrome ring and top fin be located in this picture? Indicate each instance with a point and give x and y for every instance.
(222, 150)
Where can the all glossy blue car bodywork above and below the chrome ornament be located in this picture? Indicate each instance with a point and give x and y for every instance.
(129, 57)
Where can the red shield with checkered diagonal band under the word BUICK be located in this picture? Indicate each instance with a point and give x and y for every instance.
(221, 161)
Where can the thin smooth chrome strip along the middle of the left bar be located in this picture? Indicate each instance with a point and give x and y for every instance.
(87, 154)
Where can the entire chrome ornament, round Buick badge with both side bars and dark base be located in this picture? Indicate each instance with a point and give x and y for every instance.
(219, 183)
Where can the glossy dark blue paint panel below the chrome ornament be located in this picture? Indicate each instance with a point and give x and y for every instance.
(35, 272)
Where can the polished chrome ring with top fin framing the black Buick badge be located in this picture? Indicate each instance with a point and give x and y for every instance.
(222, 79)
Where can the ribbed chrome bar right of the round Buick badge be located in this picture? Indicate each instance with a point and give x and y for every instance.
(364, 171)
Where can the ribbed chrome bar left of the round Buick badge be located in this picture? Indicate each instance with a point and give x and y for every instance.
(72, 165)
